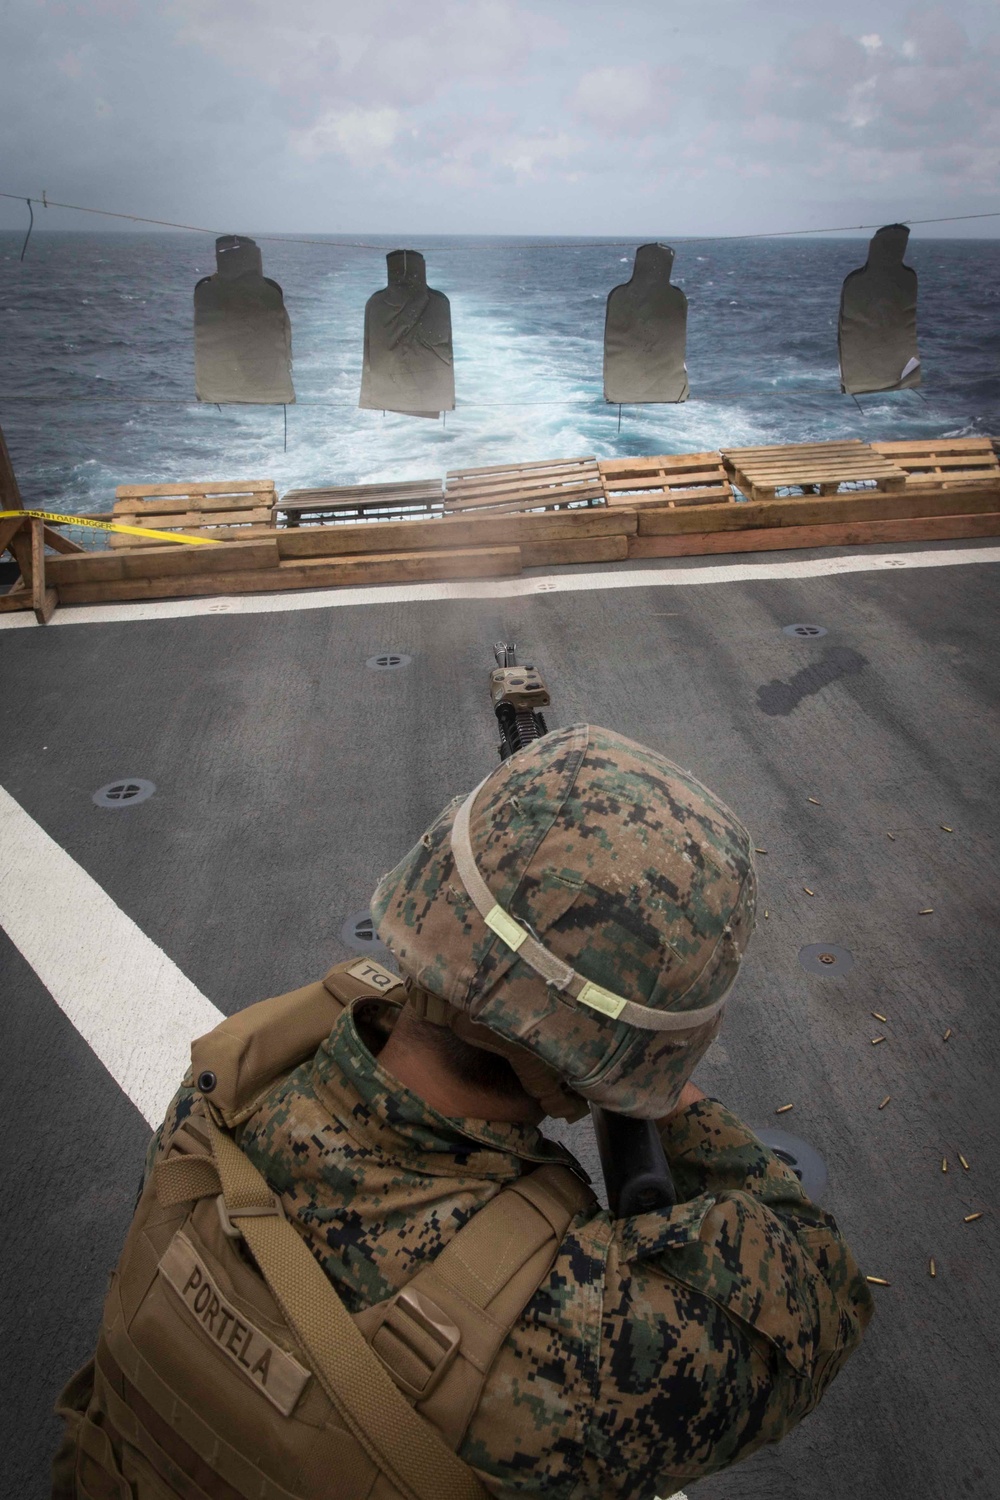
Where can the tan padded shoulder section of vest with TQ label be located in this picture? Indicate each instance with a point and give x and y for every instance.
(250, 1052)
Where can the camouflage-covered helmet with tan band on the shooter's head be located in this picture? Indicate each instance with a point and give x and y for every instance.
(582, 913)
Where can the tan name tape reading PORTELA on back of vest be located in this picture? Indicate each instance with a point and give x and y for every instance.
(260, 1360)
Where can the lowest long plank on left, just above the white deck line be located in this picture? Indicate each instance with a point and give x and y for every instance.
(308, 574)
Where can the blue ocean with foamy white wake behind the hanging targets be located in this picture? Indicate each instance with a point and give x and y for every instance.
(97, 359)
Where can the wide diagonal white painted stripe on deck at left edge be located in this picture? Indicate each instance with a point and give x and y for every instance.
(130, 1003)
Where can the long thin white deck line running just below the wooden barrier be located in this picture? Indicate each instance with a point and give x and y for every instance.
(686, 572)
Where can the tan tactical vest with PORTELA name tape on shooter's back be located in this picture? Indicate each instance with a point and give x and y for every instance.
(227, 1366)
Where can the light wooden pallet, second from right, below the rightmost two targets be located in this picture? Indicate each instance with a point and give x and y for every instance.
(818, 467)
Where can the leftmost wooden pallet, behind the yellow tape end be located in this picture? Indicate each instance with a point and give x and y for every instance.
(226, 511)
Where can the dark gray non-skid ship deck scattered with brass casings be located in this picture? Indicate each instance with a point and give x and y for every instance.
(290, 776)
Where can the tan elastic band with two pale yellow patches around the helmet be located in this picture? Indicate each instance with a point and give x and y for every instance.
(552, 970)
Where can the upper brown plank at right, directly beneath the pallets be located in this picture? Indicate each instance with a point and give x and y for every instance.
(812, 511)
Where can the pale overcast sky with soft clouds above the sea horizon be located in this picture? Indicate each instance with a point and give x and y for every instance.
(633, 118)
